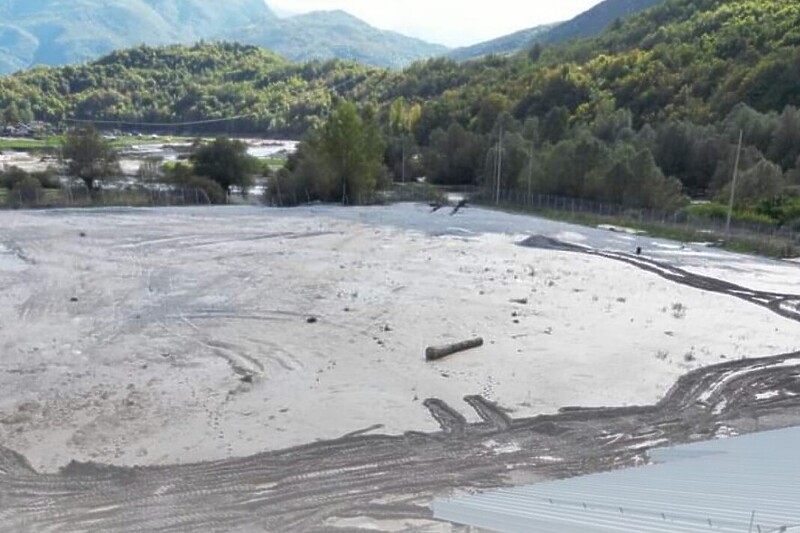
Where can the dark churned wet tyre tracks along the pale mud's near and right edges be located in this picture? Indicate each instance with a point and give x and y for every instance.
(327, 486)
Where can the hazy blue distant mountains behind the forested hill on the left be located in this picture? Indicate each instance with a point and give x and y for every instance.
(58, 32)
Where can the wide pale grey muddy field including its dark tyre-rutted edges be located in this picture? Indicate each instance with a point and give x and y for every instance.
(254, 370)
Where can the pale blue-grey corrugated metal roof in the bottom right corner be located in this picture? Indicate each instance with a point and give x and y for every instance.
(714, 486)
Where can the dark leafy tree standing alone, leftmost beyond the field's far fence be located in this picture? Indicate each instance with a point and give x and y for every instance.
(89, 157)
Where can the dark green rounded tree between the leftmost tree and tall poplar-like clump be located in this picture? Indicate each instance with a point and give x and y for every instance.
(226, 162)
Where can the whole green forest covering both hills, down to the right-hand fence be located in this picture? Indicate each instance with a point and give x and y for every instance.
(647, 114)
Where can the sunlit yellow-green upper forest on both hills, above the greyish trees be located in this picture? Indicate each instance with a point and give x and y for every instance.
(694, 58)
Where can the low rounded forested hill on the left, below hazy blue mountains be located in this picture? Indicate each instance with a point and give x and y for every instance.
(185, 84)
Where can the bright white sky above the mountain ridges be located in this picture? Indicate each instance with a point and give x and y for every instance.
(449, 22)
